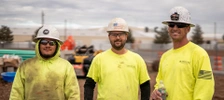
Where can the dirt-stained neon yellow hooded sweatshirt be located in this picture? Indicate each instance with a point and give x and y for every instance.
(39, 79)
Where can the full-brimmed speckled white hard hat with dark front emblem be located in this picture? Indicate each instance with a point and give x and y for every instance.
(179, 15)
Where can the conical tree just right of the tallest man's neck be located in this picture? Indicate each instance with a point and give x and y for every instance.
(197, 35)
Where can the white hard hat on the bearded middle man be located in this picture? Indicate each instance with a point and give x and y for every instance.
(118, 24)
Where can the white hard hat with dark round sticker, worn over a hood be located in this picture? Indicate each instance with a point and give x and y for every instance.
(48, 32)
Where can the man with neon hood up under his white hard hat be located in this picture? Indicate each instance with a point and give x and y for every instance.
(46, 76)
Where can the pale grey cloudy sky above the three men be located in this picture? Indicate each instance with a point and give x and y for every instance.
(209, 14)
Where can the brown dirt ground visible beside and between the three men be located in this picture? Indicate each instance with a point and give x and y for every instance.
(218, 95)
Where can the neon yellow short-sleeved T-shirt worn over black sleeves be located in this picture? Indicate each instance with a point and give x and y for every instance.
(118, 76)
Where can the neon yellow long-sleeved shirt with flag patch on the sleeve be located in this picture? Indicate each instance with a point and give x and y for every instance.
(186, 73)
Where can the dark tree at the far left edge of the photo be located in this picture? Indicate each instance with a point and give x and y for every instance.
(5, 35)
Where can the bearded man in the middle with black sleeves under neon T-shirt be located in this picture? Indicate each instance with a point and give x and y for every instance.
(118, 72)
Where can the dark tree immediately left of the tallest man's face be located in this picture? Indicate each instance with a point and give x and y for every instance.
(162, 36)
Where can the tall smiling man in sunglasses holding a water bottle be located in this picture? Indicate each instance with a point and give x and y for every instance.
(185, 69)
